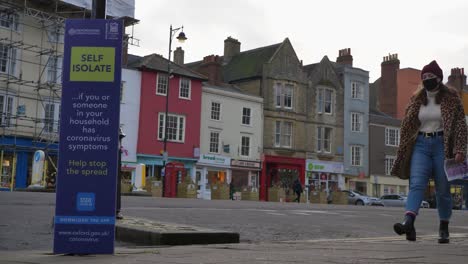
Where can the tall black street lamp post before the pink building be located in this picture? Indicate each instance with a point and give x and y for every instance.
(181, 37)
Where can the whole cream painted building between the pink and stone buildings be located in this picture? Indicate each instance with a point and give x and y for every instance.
(231, 139)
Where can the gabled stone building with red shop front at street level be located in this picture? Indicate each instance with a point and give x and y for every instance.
(274, 73)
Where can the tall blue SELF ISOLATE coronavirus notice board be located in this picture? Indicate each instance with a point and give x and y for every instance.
(89, 137)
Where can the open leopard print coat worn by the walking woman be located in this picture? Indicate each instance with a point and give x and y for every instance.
(455, 130)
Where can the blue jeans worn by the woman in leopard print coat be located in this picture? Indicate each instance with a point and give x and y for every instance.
(428, 160)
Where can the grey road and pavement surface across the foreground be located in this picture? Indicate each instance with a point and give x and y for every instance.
(269, 233)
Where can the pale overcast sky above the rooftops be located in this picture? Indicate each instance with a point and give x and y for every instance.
(418, 30)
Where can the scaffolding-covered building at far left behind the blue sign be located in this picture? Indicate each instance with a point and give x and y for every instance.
(31, 54)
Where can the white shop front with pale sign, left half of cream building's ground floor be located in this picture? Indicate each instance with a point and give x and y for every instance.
(212, 171)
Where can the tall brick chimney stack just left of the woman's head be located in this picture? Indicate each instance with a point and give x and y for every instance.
(388, 85)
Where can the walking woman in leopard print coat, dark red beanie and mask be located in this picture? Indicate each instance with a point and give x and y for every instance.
(433, 129)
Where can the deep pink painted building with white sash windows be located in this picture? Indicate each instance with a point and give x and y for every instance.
(184, 87)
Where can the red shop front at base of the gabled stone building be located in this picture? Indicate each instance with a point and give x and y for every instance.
(280, 172)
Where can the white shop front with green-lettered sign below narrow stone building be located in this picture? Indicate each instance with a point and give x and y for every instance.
(323, 176)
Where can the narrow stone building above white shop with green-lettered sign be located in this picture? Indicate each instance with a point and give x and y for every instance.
(325, 127)
